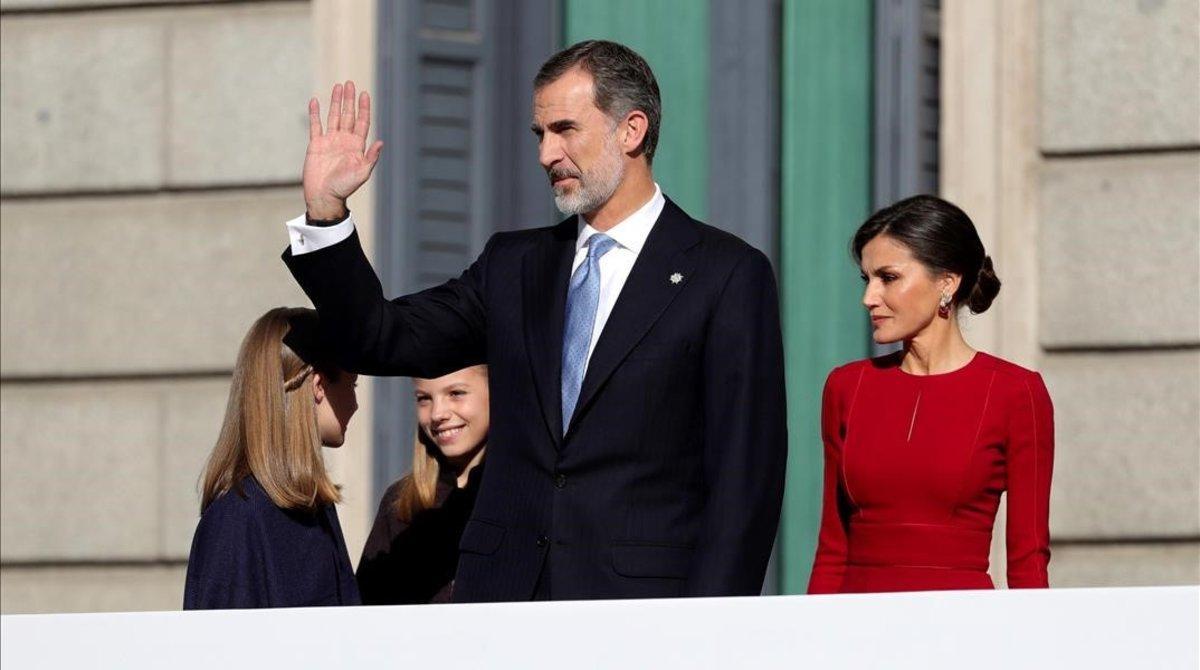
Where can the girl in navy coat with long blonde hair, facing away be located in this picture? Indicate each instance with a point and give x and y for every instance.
(269, 535)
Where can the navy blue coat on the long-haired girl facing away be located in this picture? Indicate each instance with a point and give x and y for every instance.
(248, 553)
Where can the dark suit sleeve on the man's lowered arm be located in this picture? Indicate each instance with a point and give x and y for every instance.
(746, 435)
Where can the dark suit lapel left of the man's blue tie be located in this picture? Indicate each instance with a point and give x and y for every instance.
(544, 282)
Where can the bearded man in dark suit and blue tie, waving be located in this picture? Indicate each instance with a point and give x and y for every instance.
(638, 427)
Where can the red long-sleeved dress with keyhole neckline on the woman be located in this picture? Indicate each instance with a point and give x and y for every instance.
(915, 468)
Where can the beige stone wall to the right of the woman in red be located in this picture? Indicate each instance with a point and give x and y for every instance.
(1072, 135)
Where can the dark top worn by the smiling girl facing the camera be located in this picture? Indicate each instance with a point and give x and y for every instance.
(407, 564)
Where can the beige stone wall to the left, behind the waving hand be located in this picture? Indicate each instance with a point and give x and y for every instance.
(151, 154)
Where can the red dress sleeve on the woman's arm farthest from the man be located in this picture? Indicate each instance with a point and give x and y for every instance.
(1030, 466)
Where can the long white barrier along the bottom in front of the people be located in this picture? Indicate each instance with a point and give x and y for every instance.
(1004, 630)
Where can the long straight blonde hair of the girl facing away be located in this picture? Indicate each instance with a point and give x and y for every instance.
(271, 423)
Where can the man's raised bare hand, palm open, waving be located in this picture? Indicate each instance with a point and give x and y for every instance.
(338, 161)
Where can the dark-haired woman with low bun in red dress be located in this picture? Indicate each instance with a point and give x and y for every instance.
(920, 445)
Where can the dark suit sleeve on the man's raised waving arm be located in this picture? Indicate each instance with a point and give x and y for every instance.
(427, 334)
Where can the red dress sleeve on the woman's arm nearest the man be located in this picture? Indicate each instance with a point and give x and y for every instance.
(830, 566)
